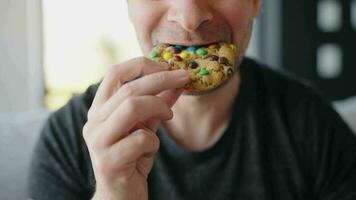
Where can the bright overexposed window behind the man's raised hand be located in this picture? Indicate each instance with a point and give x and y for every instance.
(81, 40)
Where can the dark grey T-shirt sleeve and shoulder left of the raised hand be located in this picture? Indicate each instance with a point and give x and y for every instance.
(60, 161)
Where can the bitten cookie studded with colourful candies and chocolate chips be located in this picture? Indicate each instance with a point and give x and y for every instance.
(208, 66)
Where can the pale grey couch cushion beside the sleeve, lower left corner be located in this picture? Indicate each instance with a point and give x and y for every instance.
(18, 135)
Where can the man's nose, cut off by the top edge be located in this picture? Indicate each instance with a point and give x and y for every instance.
(190, 14)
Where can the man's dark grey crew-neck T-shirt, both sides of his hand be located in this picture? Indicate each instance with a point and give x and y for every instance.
(283, 142)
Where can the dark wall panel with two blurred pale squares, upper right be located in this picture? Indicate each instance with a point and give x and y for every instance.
(319, 44)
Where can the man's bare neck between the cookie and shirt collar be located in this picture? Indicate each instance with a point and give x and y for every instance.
(200, 120)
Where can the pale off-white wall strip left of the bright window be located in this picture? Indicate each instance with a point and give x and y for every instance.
(20, 55)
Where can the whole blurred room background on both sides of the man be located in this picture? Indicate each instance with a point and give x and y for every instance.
(52, 50)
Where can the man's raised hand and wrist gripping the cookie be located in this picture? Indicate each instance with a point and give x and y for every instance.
(120, 133)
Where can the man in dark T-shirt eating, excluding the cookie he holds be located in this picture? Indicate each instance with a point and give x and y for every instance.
(261, 135)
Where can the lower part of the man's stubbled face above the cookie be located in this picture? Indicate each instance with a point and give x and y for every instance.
(193, 22)
